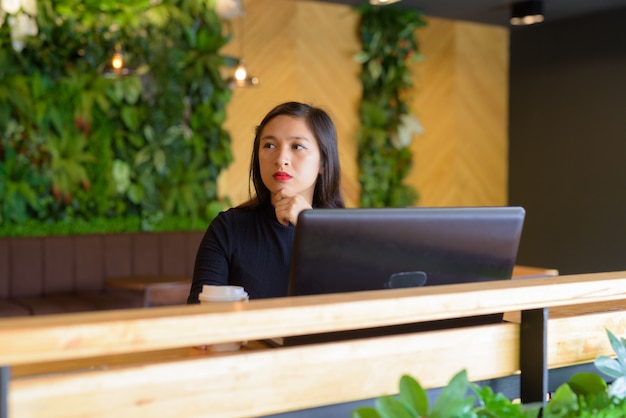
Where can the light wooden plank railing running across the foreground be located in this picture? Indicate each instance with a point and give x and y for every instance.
(142, 363)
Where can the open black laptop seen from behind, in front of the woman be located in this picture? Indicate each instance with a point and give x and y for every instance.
(351, 250)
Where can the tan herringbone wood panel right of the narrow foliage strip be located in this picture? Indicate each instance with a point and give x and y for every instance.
(461, 98)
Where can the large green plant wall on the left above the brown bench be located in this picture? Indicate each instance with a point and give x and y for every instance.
(83, 150)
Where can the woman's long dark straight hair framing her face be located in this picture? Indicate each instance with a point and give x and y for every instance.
(327, 193)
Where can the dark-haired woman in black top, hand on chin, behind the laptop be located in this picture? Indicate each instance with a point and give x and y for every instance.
(294, 167)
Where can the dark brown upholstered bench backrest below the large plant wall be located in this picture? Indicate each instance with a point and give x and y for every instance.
(38, 266)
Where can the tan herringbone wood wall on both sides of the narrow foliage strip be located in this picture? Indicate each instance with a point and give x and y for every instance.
(303, 50)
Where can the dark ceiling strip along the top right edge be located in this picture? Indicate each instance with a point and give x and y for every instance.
(497, 12)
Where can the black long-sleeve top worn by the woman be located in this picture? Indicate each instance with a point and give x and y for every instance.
(245, 247)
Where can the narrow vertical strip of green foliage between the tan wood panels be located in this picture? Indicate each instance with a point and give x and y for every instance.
(389, 45)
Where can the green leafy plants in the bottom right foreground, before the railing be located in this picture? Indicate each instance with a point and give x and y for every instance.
(584, 395)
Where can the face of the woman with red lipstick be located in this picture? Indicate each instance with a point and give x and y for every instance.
(289, 157)
